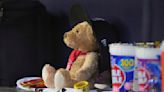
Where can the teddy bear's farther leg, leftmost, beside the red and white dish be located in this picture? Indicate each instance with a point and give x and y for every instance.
(48, 73)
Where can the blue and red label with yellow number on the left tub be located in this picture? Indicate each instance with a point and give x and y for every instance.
(122, 71)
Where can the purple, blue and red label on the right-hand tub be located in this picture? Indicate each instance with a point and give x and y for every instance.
(149, 75)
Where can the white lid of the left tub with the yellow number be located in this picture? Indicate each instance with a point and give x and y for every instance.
(122, 49)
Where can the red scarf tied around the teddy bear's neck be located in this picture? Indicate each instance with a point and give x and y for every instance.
(73, 56)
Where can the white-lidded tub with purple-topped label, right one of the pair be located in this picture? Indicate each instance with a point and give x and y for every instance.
(147, 77)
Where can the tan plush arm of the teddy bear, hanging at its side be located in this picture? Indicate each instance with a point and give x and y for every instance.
(89, 67)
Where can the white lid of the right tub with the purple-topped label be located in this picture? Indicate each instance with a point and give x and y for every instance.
(147, 53)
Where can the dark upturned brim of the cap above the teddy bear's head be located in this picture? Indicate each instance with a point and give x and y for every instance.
(77, 15)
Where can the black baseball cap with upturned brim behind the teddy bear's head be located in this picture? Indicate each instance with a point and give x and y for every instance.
(102, 29)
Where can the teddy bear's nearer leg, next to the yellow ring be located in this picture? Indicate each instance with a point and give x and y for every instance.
(63, 79)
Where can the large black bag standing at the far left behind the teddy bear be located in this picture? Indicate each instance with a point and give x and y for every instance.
(19, 26)
